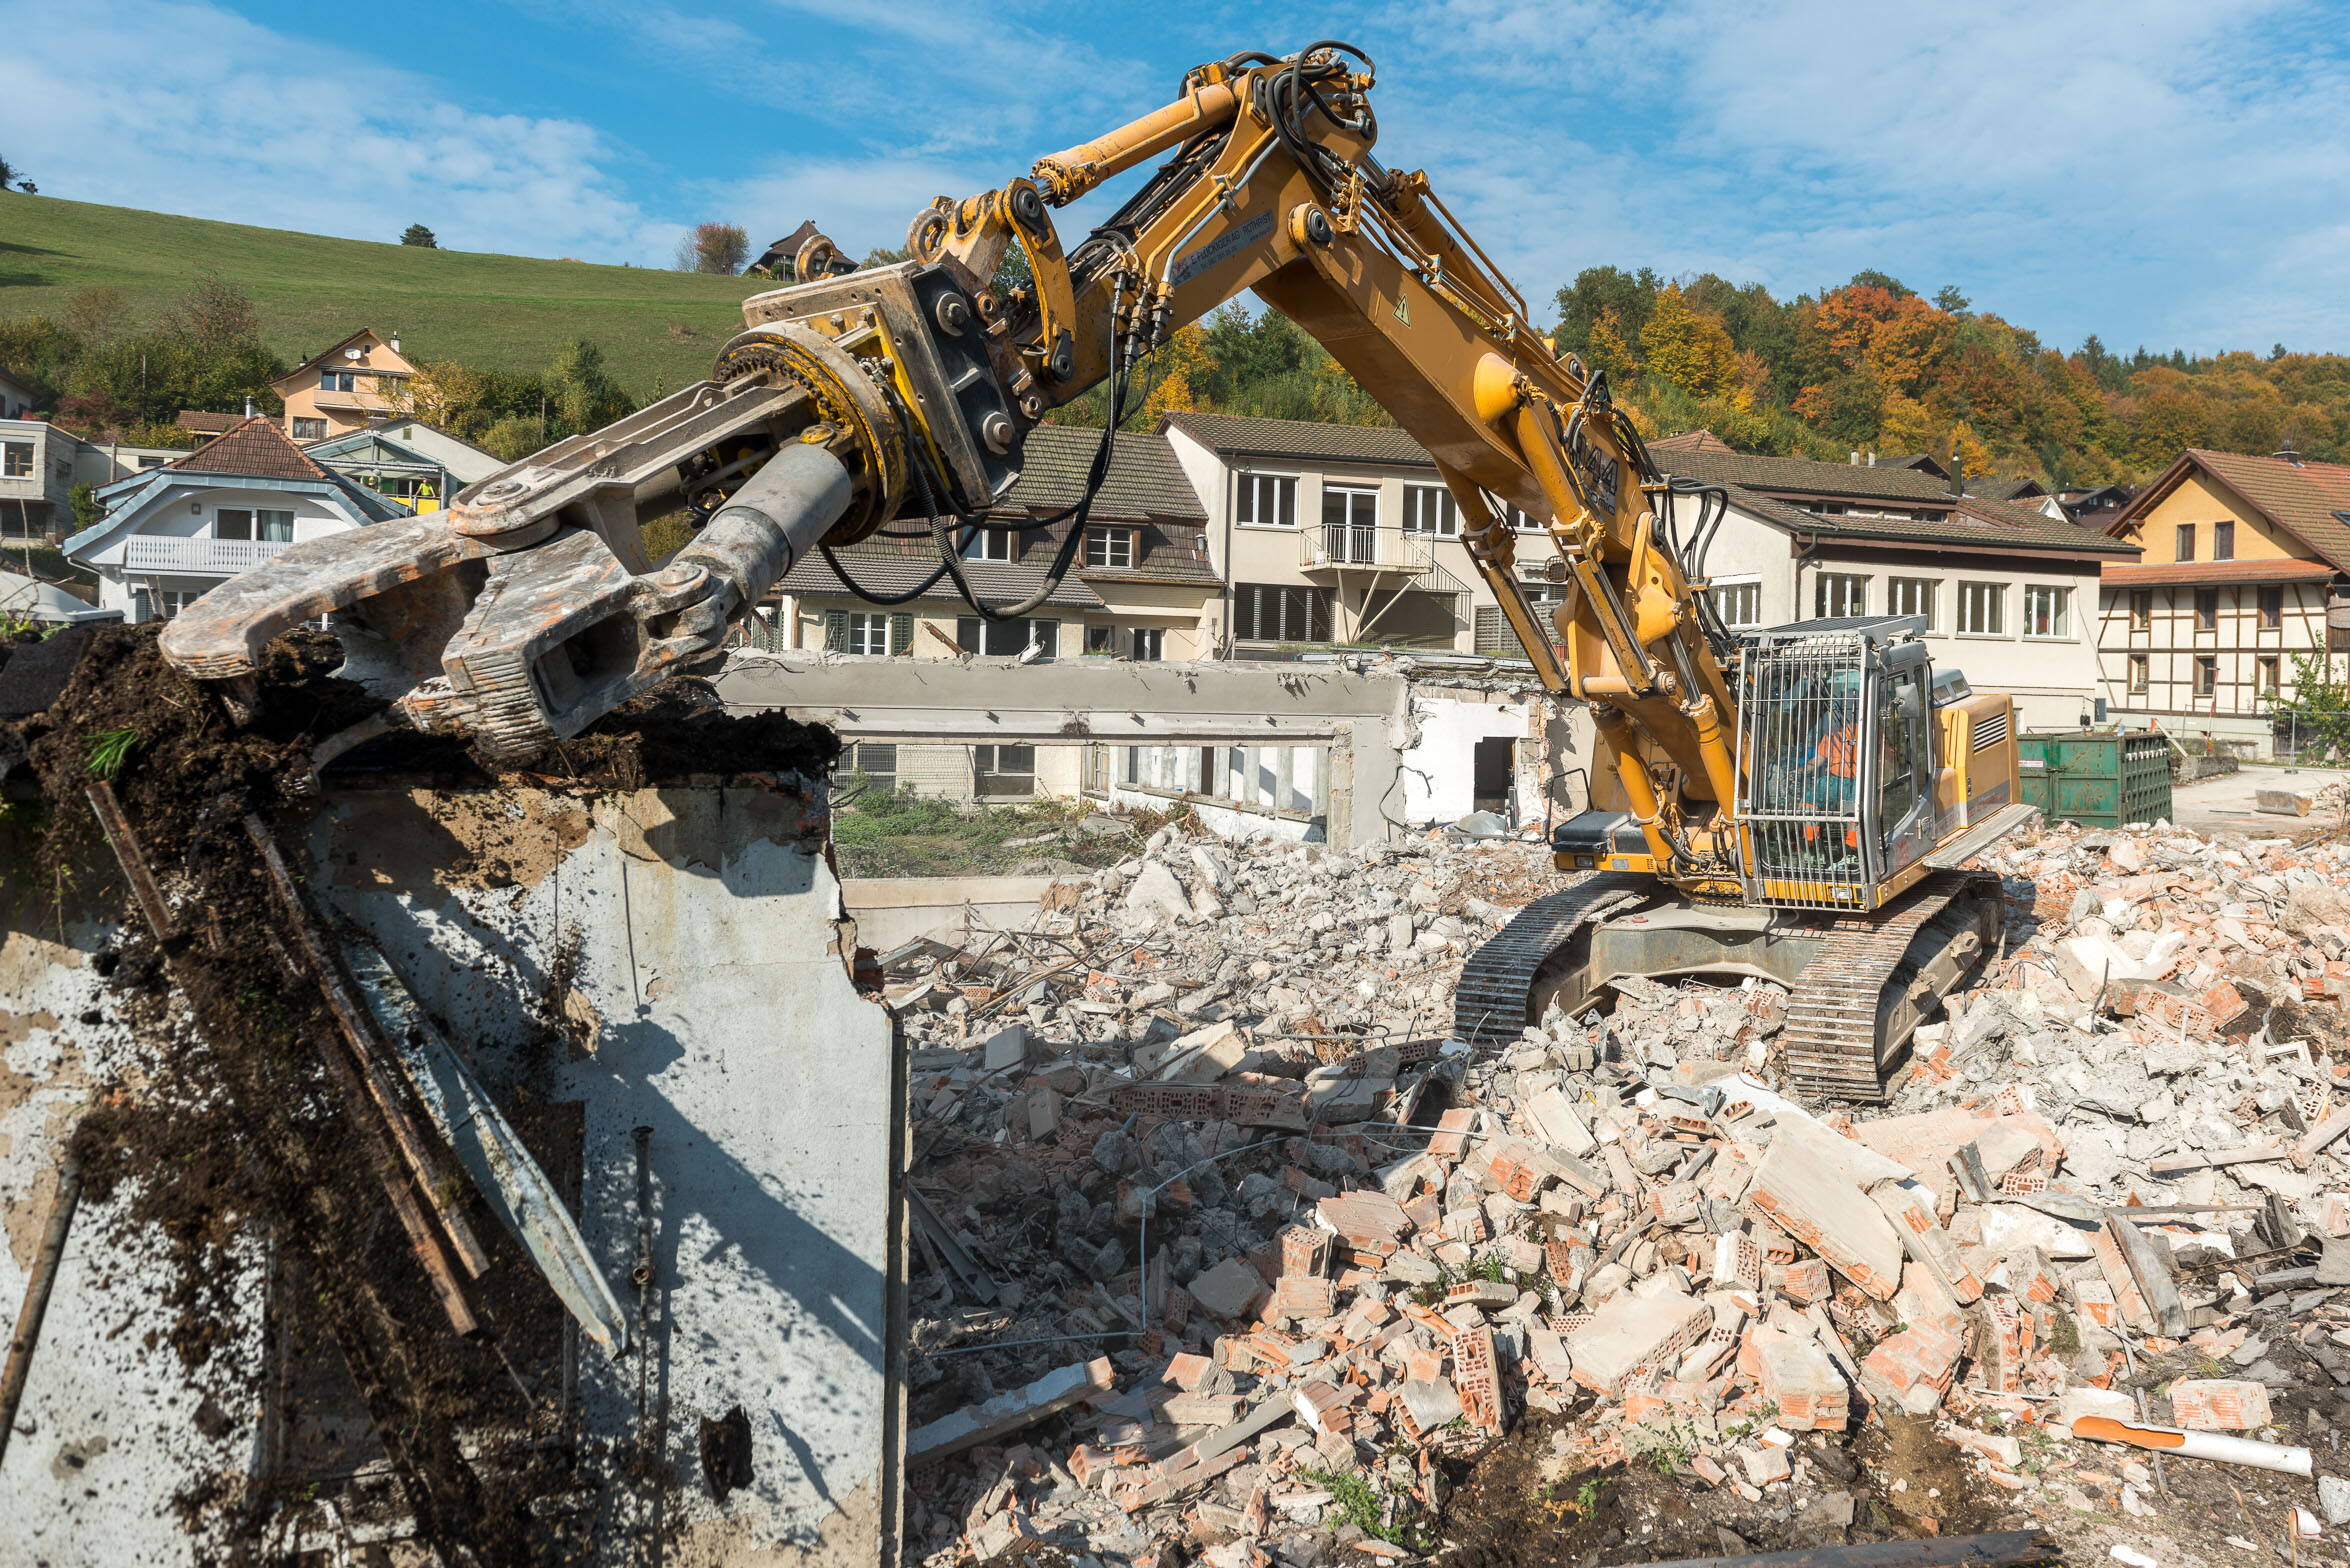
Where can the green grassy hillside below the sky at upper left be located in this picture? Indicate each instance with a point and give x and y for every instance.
(488, 311)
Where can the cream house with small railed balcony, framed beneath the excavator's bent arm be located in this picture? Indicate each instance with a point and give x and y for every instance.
(1329, 535)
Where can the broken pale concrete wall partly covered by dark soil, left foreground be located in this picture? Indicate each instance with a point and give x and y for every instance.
(694, 953)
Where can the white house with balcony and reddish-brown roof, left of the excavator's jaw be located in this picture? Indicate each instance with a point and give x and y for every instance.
(175, 532)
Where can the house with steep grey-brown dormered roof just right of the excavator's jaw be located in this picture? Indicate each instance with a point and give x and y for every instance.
(1136, 587)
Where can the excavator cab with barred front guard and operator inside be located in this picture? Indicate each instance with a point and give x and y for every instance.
(1837, 793)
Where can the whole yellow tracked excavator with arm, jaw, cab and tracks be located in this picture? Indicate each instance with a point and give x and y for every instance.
(1794, 803)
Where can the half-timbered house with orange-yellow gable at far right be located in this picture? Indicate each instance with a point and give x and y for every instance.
(2245, 570)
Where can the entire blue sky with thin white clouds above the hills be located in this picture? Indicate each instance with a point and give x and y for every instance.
(2161, 173)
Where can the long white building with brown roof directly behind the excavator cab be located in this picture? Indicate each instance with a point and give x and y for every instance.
(2008, 594)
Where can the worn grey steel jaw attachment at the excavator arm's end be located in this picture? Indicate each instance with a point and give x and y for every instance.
(528, 610)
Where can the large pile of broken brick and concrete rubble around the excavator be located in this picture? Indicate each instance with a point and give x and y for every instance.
(1334, 1261)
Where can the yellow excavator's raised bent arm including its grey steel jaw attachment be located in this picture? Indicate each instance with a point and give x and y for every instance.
(528, 610)
